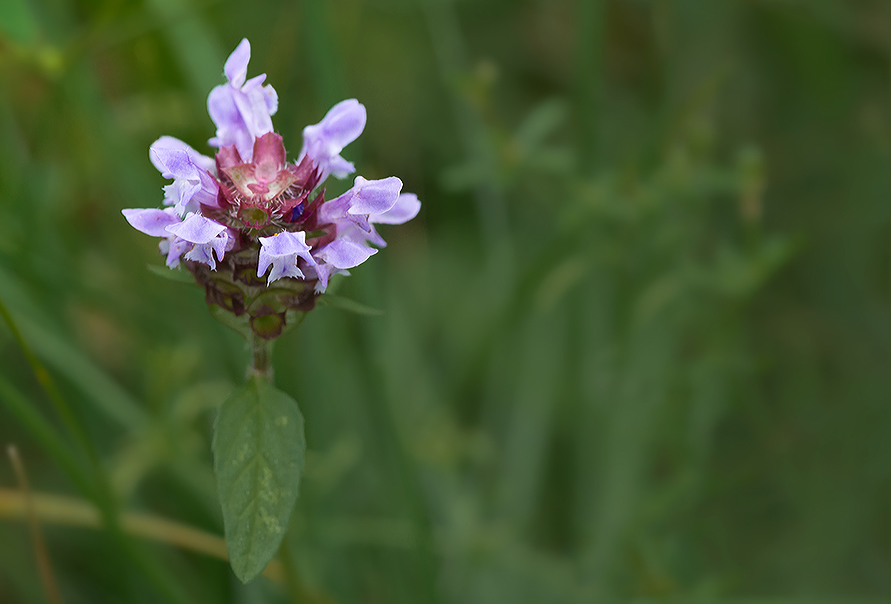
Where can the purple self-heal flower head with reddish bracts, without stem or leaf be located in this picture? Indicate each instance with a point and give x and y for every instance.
(248, 219)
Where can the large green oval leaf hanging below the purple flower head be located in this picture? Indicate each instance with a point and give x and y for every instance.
(259, 450)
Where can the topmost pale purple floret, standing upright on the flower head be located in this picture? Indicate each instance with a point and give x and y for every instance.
(241, 109)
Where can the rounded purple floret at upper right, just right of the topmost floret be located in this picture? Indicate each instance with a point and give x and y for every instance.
(324, 141)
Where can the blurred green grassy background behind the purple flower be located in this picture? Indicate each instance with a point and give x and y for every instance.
(634, 348)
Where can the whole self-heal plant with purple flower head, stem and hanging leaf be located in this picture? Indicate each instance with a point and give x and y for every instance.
(257, 234)
